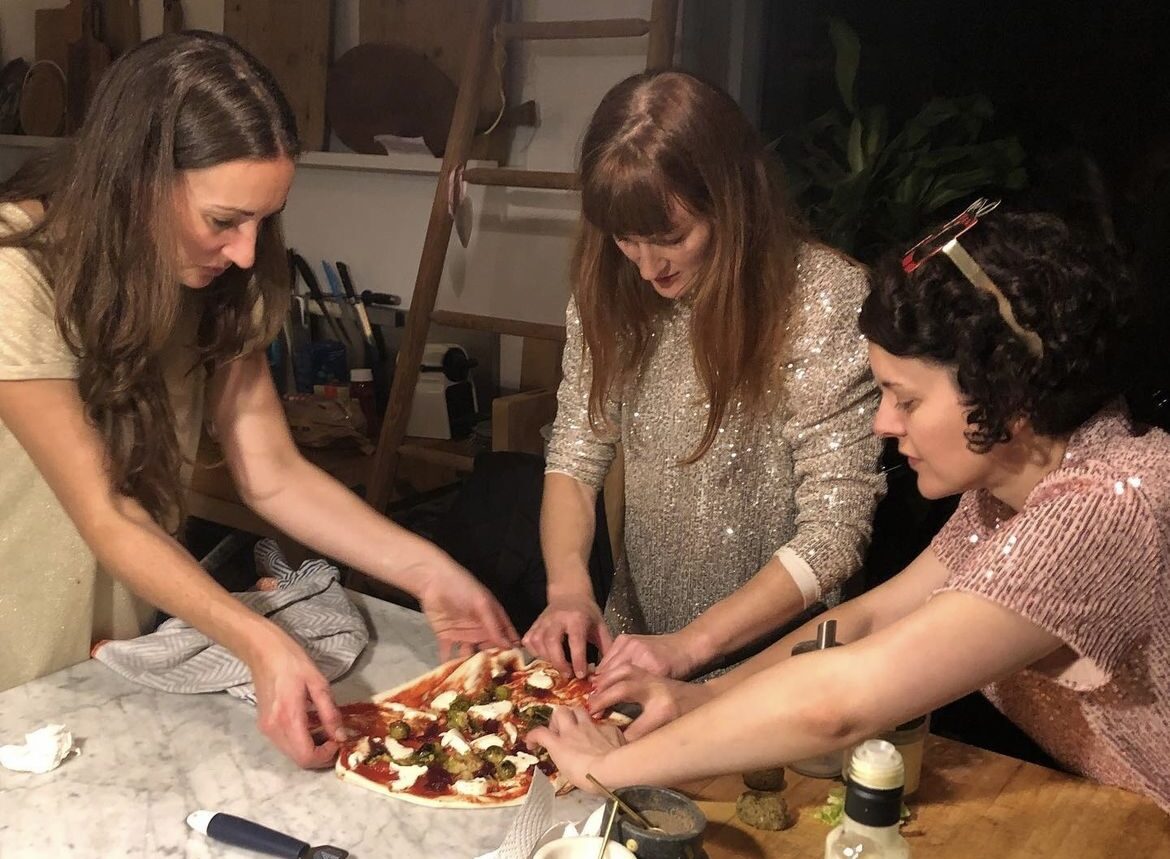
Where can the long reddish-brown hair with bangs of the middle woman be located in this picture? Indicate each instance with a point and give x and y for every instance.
(664, 136)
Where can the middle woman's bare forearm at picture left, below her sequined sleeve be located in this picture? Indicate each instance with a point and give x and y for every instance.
(568, 525)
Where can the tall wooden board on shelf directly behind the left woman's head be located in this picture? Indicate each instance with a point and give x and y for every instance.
(293, 39)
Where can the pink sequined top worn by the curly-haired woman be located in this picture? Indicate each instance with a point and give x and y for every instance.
(1089, 560)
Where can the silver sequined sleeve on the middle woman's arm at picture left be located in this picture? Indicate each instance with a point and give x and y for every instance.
(576, 448)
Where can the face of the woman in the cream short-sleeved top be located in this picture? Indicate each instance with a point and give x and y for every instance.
(219, 211)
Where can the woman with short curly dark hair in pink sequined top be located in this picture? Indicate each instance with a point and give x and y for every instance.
(997, 346)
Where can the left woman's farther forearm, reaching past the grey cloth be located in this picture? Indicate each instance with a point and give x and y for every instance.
(321, 513)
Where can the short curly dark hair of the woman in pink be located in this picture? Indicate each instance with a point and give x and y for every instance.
(1069, 287)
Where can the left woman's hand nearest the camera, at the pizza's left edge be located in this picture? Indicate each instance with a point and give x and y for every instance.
(288, 684)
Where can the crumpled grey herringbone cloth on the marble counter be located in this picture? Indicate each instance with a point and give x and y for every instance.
(311, 606)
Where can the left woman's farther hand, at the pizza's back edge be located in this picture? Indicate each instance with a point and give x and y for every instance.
(463, 613)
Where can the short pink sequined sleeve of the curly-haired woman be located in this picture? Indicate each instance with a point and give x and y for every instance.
(1080, 560)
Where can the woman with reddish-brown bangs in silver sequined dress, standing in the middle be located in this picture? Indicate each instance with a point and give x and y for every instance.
(719, 346)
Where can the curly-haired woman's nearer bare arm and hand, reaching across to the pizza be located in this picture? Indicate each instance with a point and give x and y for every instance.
(955, 644)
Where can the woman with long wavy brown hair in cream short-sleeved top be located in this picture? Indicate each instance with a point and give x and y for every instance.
(142, 272)
